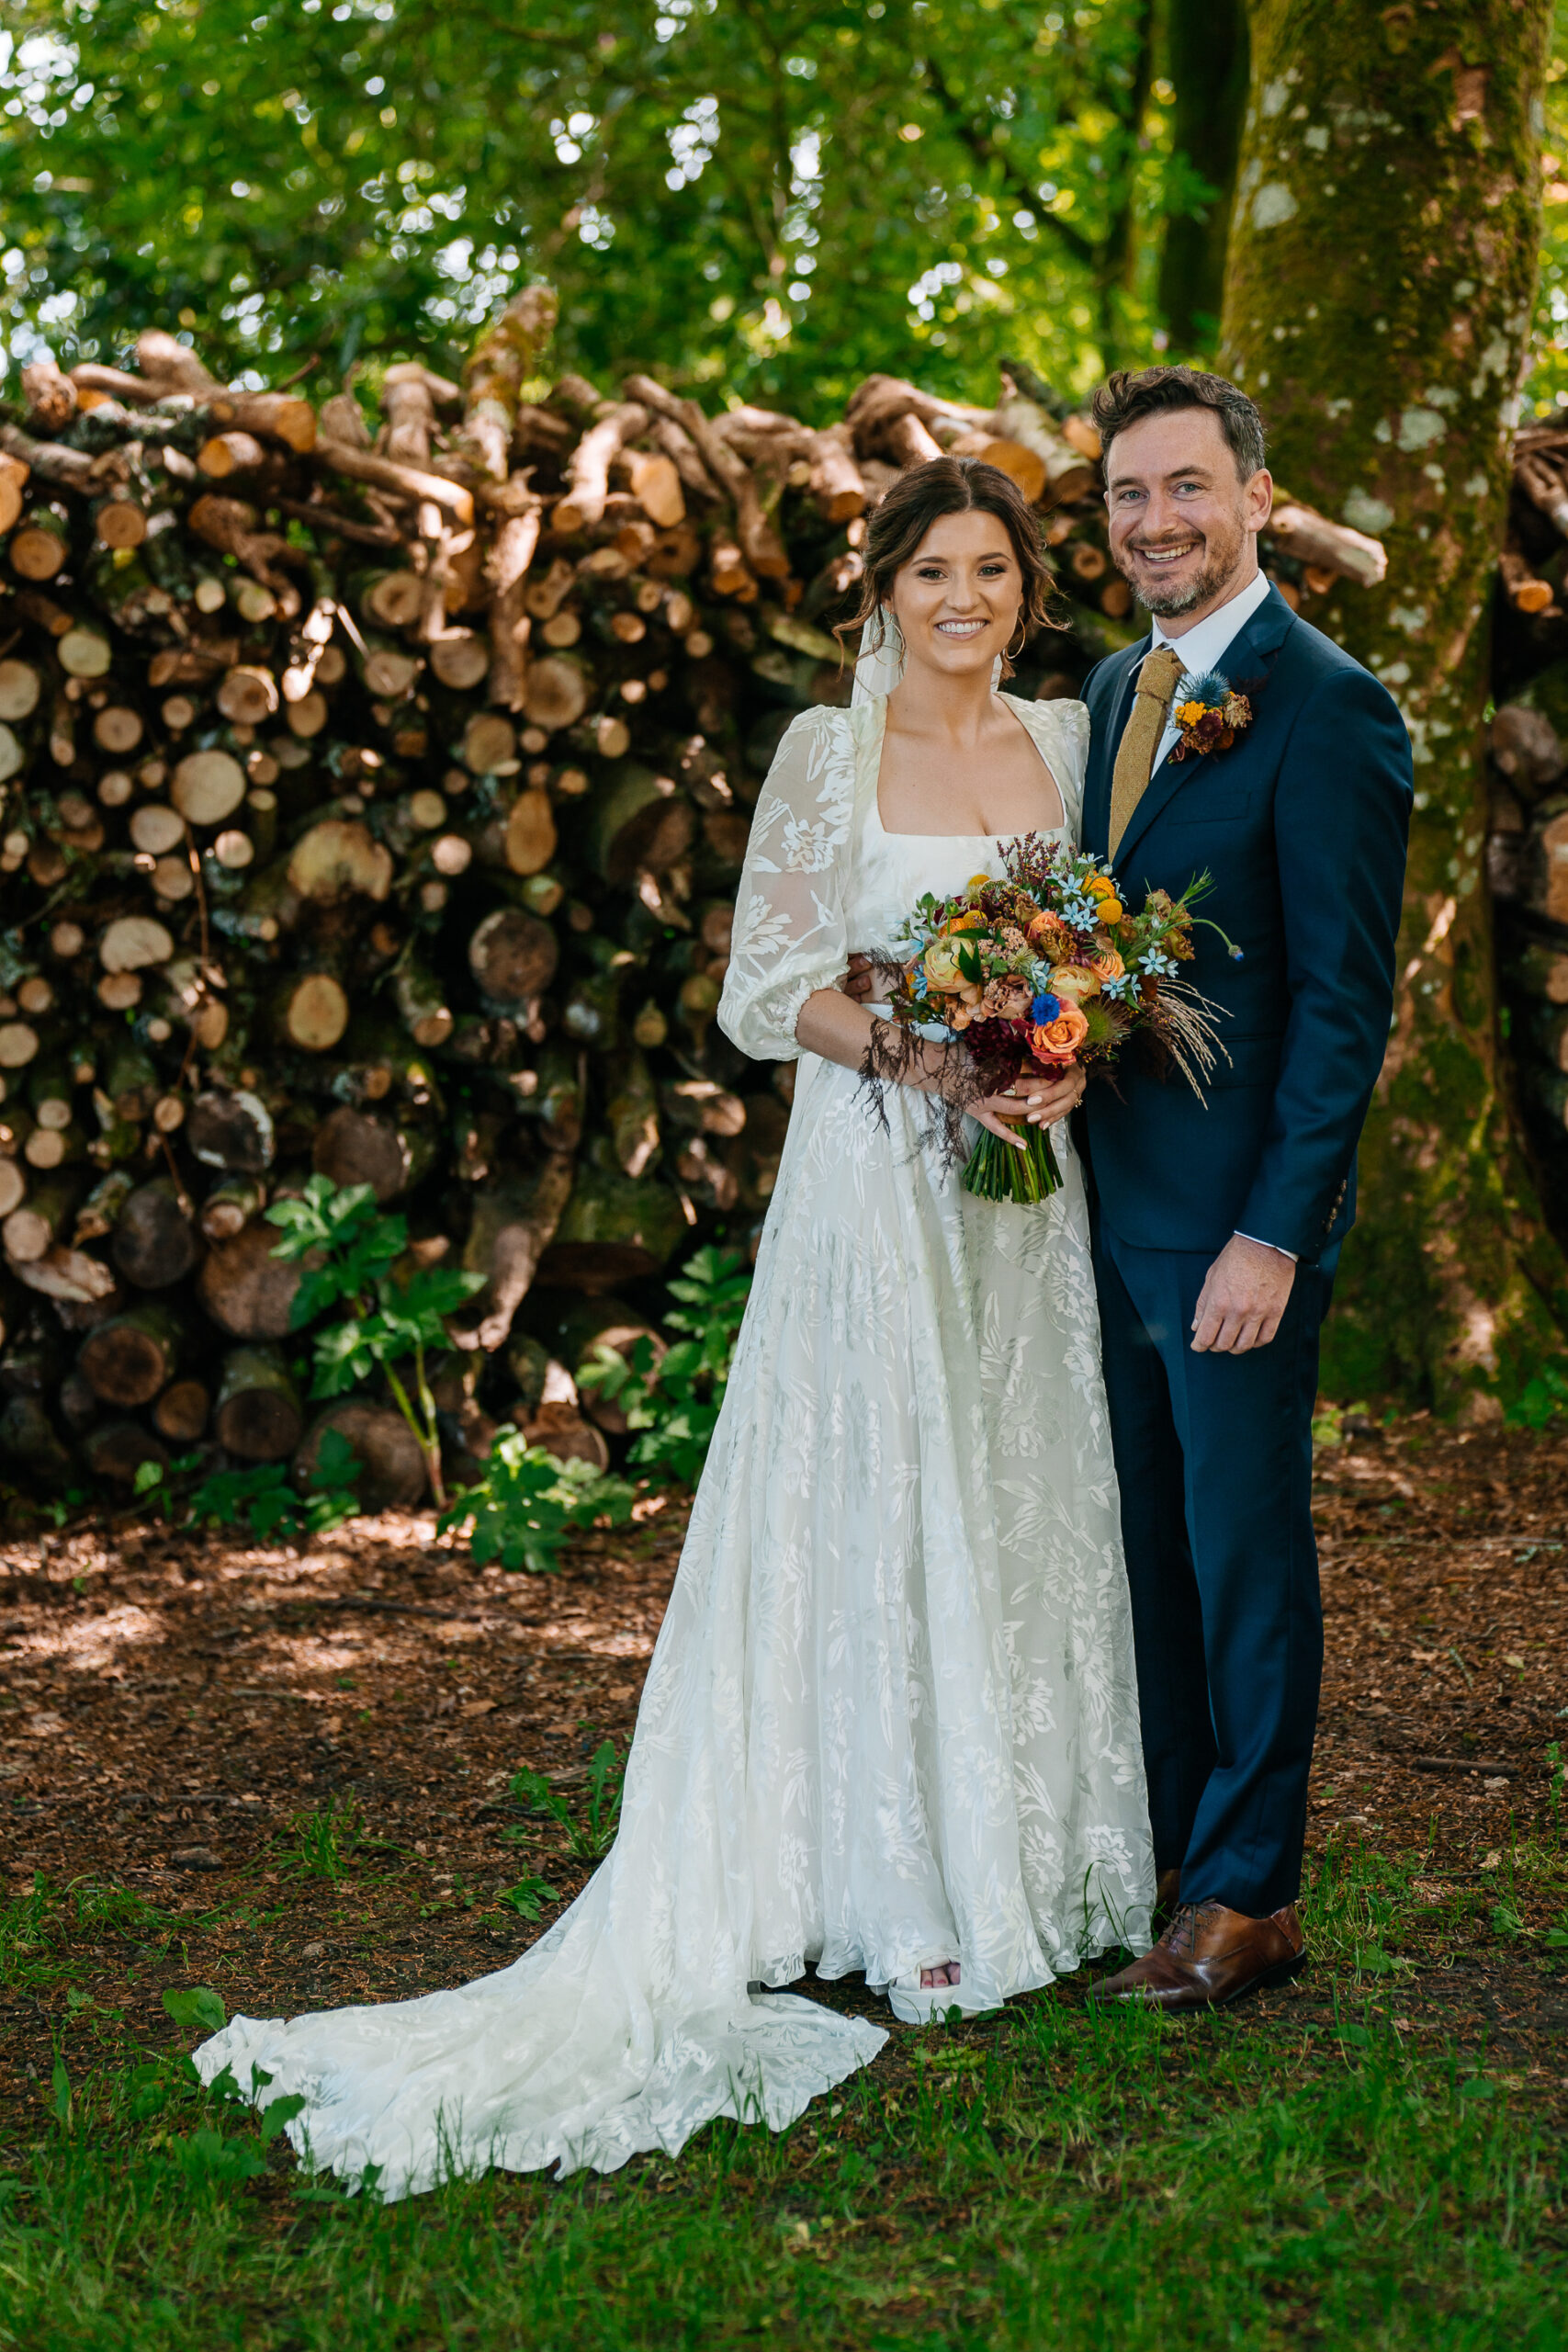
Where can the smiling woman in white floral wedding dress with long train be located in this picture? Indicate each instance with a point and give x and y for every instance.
(890, 1725)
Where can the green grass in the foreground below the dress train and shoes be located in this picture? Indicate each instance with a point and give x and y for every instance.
(1028, 2181)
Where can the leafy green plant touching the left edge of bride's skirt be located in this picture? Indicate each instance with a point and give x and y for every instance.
(674, 1403)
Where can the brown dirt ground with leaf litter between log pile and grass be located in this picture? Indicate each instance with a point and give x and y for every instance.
(170, 1704)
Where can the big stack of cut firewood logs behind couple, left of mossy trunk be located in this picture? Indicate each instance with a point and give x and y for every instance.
(373, 803)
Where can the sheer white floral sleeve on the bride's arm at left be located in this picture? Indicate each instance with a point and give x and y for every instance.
(789, 935)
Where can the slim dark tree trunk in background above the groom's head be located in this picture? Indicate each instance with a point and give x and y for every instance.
(1207, 41)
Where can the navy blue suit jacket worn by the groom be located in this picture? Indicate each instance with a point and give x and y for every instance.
(1304, 829)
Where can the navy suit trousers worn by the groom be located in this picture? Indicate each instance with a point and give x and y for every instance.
(1214, 1455)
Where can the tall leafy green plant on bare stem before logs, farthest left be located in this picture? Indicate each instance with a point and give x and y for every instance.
(396, 1314)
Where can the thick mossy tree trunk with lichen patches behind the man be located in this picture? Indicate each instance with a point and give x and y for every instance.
(1379, 302)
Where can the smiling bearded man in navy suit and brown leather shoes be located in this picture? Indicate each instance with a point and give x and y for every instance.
(1219, 1224)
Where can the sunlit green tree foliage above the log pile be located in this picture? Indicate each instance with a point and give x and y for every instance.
(753, 199)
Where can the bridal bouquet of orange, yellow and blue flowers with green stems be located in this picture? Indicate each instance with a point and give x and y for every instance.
(1043, 973)
